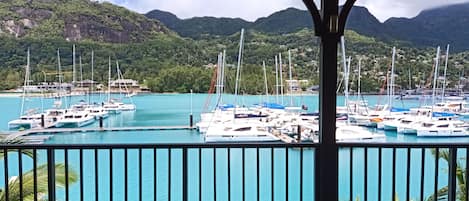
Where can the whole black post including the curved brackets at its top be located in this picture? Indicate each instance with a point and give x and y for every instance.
(329, 27)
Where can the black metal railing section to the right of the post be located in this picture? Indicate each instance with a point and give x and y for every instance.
(426, 171)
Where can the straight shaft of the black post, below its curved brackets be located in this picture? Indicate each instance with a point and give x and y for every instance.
(327, 154)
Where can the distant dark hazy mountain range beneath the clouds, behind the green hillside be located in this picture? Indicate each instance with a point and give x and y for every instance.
(438, 26)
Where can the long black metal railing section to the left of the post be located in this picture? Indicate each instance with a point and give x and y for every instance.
(161, 171)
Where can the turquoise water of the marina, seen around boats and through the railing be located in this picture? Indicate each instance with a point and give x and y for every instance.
(174, 109)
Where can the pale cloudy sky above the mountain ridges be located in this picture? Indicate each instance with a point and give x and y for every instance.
(252, 9)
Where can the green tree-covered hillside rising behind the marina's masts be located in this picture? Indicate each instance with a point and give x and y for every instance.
(165, 62)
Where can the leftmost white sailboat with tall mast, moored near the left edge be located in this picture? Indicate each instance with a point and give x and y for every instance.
(30, 118)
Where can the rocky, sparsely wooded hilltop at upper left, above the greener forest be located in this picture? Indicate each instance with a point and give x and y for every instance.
(76, 20)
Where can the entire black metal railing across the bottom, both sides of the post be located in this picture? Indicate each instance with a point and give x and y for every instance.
(272, 171)
